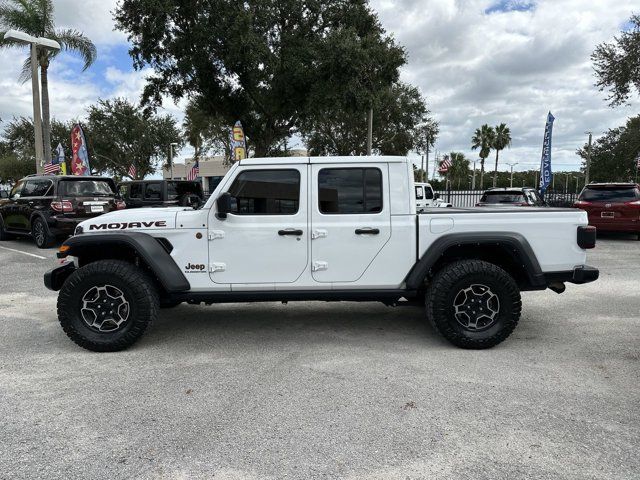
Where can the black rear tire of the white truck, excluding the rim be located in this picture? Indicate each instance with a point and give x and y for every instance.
(459, 276)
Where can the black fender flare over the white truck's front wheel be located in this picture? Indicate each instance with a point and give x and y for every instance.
(147, 247)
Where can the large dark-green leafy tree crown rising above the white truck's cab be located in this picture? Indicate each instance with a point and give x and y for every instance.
(272, 64)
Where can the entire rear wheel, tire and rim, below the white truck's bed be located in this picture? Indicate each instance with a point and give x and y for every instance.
(473, 304)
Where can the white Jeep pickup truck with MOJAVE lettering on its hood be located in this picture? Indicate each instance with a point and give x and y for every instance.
(326, 228)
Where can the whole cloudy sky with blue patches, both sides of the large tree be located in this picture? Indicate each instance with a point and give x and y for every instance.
(475, 61)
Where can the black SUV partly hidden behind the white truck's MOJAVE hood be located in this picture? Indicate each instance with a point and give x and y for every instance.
(161, 193)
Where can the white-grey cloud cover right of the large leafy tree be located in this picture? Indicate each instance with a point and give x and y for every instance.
(509, 67)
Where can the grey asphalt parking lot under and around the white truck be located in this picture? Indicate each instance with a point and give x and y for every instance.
(315, 390)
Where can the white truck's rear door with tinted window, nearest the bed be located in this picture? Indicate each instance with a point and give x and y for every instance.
(350, 219)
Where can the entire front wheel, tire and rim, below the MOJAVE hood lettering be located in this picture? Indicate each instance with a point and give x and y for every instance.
(107, 305)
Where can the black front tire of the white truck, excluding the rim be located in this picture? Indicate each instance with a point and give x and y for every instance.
(138, 289)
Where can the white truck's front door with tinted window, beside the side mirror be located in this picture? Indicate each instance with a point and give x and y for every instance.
(265, 238)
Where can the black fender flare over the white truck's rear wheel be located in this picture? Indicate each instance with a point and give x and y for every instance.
(515, 243)
